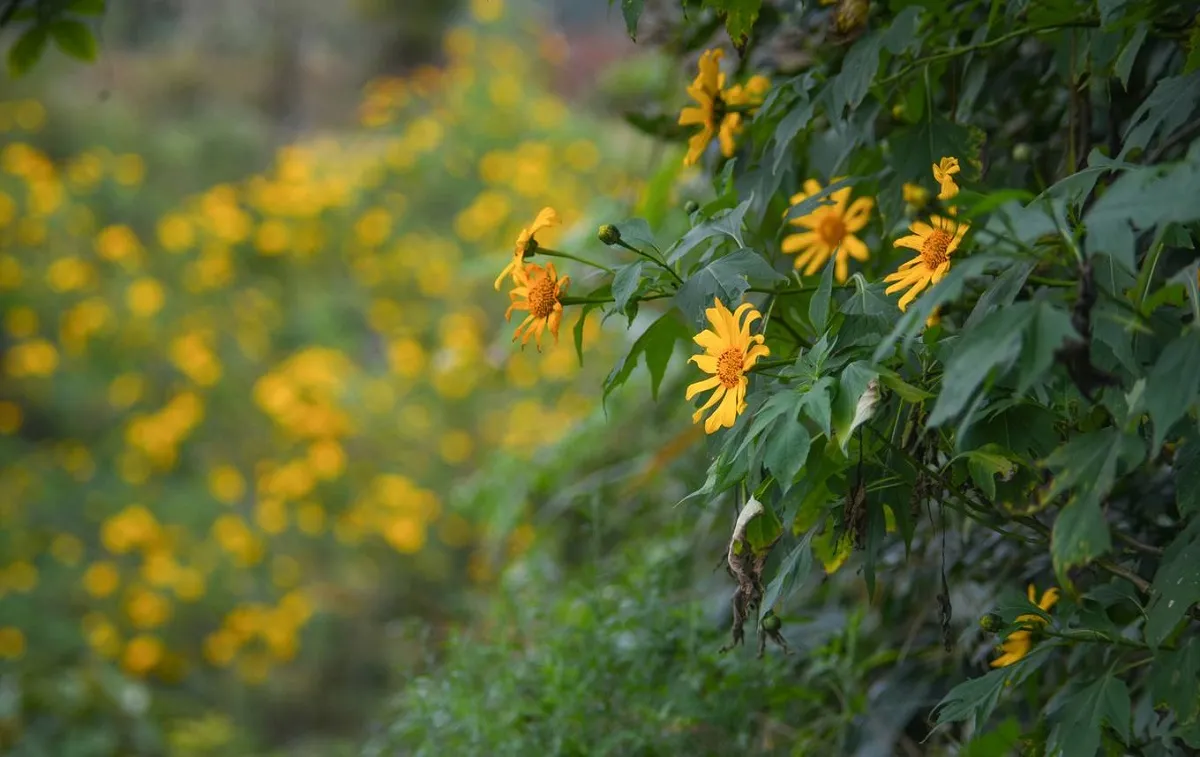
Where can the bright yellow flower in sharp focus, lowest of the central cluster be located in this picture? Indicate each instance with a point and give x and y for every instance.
(730, 351)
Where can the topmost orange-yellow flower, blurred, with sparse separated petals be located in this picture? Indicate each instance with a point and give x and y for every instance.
(712, 103)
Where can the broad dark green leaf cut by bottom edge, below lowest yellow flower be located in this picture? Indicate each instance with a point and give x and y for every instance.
(1083, 713)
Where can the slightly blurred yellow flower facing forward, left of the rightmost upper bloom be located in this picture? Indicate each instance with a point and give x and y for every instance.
(830, 229)
